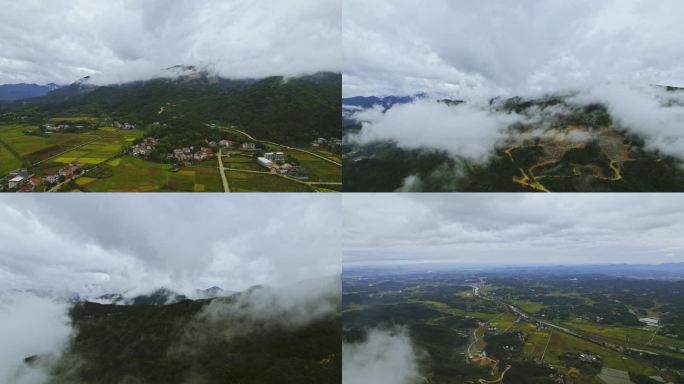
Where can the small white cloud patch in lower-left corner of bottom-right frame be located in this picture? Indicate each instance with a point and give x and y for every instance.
(385, 357)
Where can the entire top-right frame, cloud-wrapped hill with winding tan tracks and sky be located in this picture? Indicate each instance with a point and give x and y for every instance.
(510, 92)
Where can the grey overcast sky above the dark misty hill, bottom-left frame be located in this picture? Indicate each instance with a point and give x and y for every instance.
(95, 244)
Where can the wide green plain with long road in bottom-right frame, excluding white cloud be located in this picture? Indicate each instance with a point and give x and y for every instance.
(498, 327)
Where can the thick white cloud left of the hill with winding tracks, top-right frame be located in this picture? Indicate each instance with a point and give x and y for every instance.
(468, 130)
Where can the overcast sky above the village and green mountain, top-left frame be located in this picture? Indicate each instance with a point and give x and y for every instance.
(122, 40)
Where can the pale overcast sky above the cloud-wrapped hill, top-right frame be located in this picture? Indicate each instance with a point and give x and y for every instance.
(459, 47)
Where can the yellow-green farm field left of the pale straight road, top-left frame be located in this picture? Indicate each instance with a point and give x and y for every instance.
(131, 174)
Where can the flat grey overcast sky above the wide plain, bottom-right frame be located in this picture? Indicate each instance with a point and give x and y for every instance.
(509, 229)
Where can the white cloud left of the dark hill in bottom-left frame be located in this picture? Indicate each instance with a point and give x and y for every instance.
(29, 325)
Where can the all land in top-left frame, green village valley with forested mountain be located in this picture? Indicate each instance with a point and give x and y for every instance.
(154, 136)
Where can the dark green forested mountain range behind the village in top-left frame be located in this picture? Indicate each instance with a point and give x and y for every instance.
(287, 110)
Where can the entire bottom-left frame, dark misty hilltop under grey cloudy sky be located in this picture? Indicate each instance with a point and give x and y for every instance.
(87, 281)
